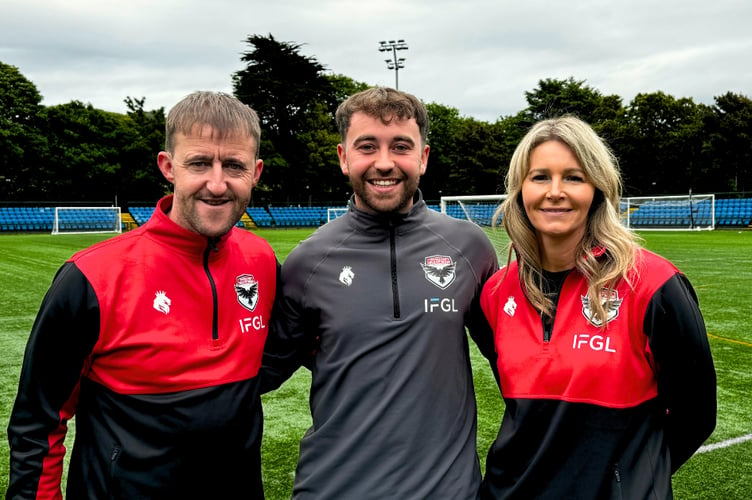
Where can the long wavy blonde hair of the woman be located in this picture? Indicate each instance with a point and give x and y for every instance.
(606, 252)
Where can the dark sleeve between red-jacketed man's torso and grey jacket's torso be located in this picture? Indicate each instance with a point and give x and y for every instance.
(288, 346)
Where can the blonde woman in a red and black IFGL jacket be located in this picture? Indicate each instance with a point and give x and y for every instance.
(602, 354)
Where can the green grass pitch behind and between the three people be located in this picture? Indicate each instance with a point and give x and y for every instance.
(719, 264)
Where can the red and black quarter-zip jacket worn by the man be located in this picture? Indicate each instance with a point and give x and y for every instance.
(153, 339)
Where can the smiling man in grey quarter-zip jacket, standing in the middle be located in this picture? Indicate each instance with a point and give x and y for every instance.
(376, 303)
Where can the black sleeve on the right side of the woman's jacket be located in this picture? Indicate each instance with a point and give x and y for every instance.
(686, 374)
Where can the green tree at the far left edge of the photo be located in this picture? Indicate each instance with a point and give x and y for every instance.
(21, 142)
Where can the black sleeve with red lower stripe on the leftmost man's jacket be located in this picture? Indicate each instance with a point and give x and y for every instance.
(62, 337)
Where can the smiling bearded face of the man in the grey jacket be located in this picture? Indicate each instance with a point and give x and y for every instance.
(384, 162)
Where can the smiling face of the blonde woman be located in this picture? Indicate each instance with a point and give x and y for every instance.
(557, 195)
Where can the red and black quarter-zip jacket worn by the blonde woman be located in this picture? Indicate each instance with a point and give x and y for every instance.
(593, 413)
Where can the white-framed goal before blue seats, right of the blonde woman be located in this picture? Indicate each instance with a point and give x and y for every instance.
(688, 212)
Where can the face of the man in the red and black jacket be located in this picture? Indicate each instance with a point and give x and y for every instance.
(212, 179)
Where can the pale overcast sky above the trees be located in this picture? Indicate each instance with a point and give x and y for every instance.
(479, 56)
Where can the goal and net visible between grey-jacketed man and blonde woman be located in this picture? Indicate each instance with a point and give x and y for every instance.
(480, 210)
